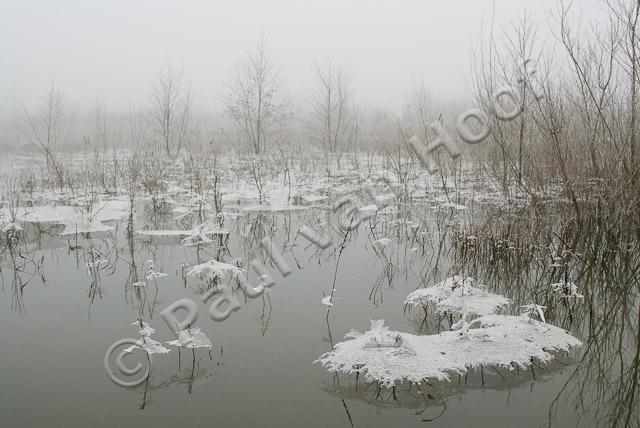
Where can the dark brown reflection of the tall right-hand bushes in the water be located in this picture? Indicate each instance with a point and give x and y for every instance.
(520, 255)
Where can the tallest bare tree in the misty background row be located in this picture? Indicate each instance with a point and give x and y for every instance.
(252, 103)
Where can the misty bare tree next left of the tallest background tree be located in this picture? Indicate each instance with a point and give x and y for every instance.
(170, 110)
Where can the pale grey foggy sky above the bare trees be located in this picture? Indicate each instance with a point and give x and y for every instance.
(114, 49)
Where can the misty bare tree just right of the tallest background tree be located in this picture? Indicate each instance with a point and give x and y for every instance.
(333, 115)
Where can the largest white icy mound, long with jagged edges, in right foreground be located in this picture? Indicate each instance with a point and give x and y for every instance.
(497, 340)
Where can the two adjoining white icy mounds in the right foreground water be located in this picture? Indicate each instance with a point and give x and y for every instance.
(506, 341)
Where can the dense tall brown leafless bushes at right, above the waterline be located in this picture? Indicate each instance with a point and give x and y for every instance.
(578, 124)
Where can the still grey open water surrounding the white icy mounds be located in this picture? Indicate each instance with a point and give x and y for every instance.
(261, 370)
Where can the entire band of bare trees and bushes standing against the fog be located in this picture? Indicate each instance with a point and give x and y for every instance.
(578, 116)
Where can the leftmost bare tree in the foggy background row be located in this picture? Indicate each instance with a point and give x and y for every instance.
(44, 127)
